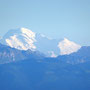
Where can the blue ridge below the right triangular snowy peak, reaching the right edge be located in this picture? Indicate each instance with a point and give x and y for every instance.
(81, 56)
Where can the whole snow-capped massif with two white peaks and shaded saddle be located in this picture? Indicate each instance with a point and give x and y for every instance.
(24, 39)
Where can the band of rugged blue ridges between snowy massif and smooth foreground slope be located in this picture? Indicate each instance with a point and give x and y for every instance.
(8, 54)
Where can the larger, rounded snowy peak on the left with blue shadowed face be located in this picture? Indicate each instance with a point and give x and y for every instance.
(21, 39)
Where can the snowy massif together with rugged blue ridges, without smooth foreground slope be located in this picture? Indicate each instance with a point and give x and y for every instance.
(22, 44)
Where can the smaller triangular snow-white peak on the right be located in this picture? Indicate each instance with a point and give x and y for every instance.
(68, 47)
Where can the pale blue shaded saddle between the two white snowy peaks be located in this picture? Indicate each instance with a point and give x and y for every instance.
(47, 45)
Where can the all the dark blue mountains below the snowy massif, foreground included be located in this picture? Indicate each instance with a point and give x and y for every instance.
(31, 70)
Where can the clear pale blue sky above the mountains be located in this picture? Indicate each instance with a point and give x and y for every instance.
(54, 18)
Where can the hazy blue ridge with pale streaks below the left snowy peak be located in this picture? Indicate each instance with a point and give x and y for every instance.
(8, 54)
